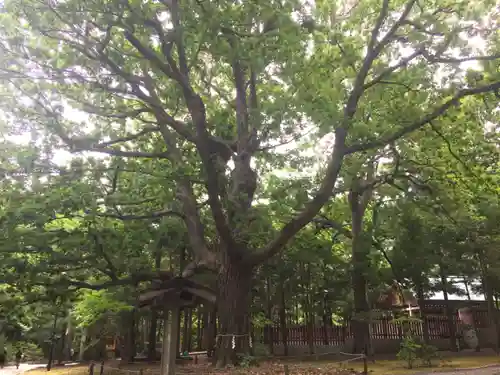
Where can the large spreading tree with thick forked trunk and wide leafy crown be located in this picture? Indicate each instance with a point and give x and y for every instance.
(204, 91)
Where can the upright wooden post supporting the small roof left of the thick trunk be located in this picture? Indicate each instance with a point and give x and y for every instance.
(170, 333)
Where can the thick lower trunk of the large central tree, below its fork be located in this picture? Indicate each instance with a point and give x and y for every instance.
(234, 286)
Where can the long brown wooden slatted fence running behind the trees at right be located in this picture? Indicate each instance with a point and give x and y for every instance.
(383, 328)
